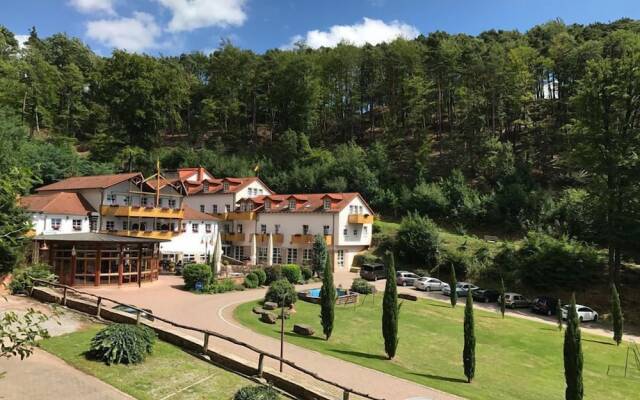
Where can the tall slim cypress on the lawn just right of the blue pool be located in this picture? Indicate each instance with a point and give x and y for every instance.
(390, 309)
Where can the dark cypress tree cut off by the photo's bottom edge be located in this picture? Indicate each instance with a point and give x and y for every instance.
(573, 360)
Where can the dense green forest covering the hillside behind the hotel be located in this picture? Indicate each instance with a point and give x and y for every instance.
(504, 132)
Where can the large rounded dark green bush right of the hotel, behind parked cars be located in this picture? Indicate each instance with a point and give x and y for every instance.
(418, 240)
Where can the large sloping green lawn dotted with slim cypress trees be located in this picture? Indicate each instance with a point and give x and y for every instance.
(516, 358)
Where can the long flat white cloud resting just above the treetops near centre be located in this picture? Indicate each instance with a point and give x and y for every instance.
(373, 31)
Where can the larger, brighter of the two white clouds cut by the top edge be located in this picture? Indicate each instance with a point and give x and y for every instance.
(193, 14)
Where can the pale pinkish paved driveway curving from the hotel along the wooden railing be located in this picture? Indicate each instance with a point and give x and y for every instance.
(215, 312)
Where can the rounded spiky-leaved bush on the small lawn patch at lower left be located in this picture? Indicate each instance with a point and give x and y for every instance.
(122, 344)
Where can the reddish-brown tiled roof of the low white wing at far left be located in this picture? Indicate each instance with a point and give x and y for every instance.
(66, 203)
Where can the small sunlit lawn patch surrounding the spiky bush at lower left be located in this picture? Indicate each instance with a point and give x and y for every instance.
(166, 371)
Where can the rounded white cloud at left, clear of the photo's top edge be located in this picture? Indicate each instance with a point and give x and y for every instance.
(135, 34)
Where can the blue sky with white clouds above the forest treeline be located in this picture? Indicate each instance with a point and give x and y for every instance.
(176, 26)
